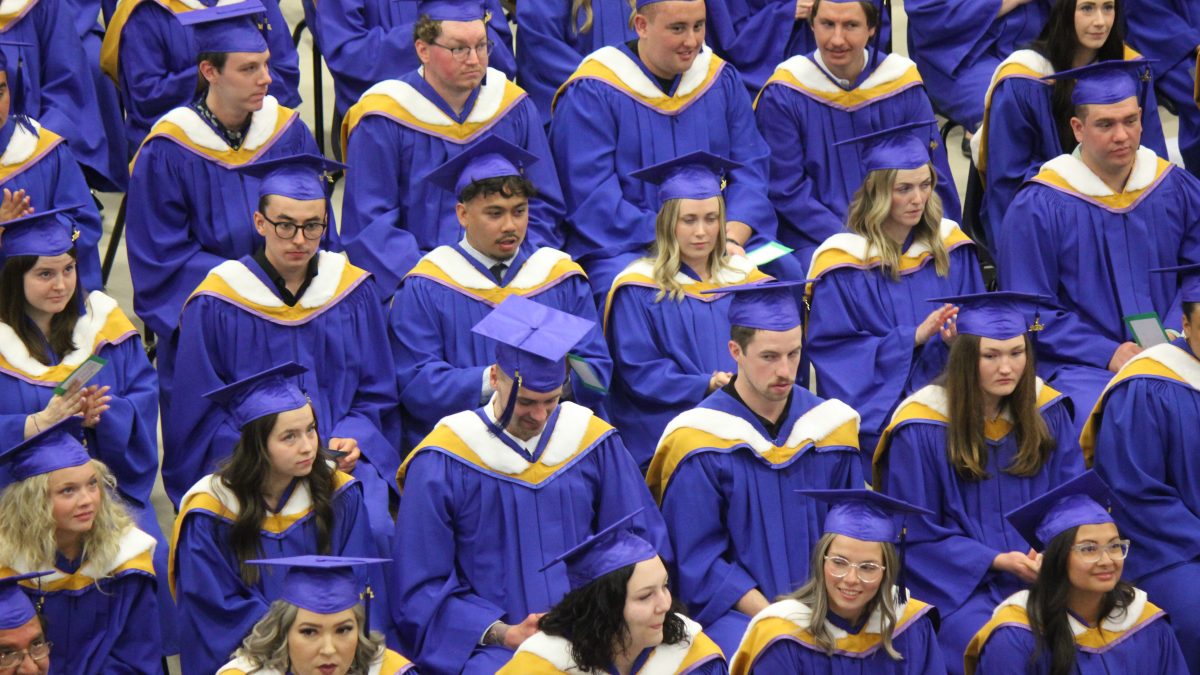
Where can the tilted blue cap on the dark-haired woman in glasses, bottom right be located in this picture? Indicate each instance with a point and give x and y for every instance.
(1084, 500)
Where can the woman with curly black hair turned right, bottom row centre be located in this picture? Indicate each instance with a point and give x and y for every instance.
(620, 617)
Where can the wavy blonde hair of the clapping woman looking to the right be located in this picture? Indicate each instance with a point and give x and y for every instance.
(872, 207)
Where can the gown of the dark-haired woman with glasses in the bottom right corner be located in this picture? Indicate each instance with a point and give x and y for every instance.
(1141, 641)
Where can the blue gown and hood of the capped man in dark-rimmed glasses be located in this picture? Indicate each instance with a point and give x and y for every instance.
(236, 325)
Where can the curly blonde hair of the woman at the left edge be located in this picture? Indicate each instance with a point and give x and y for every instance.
(28, 528)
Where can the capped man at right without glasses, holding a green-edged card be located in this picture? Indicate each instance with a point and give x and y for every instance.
(1089, 229)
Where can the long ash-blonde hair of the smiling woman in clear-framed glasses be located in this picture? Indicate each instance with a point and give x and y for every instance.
(815, 596)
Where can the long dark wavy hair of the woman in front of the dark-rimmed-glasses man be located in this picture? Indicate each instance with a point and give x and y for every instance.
(244, 475)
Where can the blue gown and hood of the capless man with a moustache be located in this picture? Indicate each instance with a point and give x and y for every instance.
(803, 112)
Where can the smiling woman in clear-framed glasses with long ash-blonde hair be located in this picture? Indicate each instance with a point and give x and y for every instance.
(839, 624)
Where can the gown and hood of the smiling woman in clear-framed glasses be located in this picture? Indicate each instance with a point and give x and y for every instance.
(778, 642)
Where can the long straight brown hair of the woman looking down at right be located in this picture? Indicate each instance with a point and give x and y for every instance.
(965, 443)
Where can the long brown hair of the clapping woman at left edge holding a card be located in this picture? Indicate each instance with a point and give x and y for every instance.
(14, 306)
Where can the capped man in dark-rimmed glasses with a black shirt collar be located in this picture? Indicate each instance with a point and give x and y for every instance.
(290, 302)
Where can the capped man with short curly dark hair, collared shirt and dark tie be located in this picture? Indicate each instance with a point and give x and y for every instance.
(442, 367)
